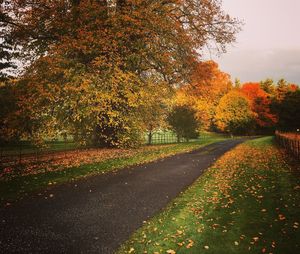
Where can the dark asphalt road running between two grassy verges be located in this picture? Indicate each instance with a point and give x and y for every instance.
(97, 214)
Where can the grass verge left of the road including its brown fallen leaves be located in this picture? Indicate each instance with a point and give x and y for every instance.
(21, 182)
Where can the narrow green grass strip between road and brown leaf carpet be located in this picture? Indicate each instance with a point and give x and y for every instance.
(12, 188)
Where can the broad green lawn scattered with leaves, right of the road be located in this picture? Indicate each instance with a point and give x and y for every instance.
(248, 202)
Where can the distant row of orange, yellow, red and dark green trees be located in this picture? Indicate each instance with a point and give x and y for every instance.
(250, 108)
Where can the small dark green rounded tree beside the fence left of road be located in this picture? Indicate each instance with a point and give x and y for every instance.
(183, 122)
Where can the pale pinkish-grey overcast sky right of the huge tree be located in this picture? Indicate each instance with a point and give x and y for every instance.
(269, 45)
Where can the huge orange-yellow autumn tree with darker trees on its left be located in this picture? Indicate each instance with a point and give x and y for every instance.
(101, 70)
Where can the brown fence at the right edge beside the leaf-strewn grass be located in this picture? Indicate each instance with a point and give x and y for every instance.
(290, 142)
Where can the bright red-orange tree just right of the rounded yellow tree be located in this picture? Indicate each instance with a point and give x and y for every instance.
(260, 105)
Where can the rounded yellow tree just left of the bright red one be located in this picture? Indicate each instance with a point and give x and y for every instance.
(234, 114)
